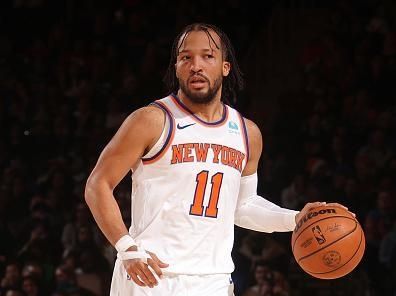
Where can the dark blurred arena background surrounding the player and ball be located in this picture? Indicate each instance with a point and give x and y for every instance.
(318, 83)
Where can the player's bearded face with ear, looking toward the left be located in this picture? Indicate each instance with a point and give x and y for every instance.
(200, 67)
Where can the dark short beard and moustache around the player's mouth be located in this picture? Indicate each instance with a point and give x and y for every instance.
(200, 97)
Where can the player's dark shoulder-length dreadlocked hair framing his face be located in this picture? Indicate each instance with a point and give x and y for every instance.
(231, 83)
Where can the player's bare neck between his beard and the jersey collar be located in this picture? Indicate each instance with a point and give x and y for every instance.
(210, 112)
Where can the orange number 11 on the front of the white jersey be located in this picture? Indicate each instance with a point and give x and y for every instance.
(197, 207)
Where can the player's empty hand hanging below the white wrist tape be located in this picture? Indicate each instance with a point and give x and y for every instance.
(140, 272)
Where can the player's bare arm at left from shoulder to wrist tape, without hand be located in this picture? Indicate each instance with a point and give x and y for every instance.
(136, 136)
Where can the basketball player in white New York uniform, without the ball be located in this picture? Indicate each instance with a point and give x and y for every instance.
(194, 161)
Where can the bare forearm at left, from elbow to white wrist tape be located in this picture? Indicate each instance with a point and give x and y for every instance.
(100, 199)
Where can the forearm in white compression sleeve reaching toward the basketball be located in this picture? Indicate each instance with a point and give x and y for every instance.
(259, 214)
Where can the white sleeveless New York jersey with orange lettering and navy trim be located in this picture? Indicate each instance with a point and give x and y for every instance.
(184, 197)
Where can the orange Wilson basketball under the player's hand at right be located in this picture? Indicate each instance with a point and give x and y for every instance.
(328, 242)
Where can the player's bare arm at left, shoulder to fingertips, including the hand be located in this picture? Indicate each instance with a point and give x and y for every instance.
(136, 136)
